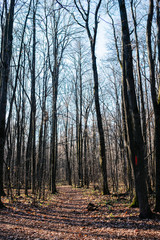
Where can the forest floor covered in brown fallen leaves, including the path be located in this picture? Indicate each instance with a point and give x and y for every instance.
(65, 216)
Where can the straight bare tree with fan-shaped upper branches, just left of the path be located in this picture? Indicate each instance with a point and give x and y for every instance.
(56, 46)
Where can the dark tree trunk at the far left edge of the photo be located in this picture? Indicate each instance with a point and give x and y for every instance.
(6, 53)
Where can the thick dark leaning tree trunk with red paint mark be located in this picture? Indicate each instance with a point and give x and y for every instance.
(136, 144)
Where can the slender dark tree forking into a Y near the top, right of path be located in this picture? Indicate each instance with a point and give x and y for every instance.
(85, 15)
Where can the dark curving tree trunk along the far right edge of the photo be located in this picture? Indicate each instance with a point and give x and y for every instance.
(155, 98)
